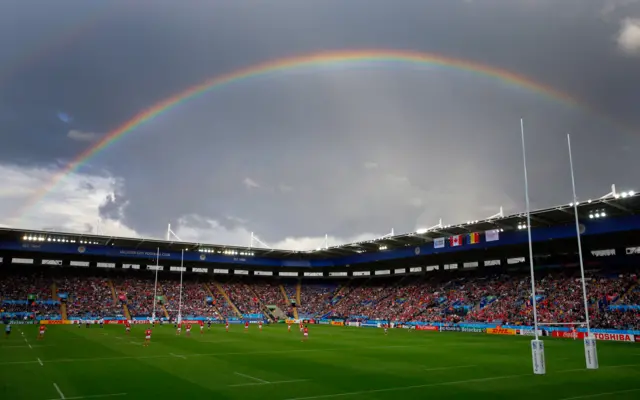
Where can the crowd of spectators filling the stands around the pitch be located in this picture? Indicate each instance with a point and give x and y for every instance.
(503, 299)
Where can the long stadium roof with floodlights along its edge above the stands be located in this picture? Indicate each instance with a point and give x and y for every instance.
(612, 205)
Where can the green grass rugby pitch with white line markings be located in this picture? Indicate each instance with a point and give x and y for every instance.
(336, 363)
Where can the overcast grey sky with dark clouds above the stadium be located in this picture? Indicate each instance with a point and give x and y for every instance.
(347, 152)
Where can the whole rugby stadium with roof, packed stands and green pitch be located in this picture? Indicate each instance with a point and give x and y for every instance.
(456, 301)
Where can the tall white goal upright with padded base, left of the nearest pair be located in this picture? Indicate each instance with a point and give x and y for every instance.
(537, 345)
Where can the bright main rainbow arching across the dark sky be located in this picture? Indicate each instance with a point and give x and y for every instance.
(343, 58)
